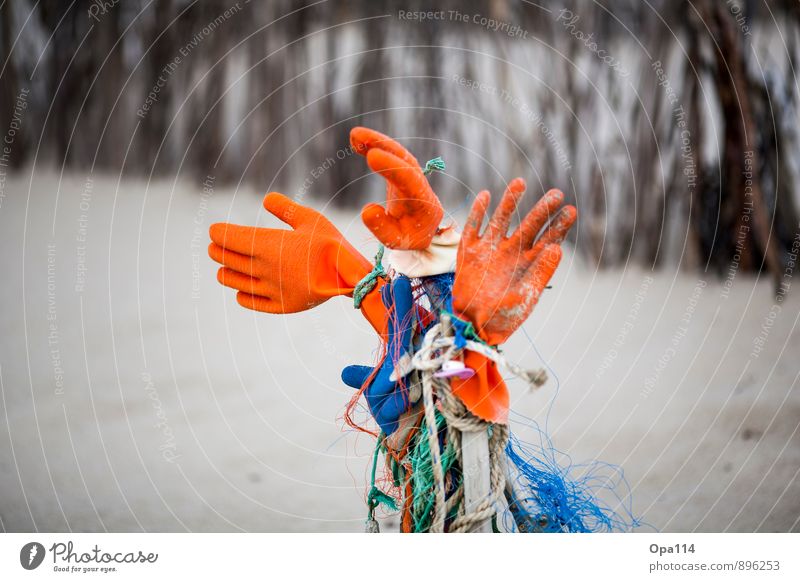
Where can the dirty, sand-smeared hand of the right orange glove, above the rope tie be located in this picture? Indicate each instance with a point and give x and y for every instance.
(499, 278)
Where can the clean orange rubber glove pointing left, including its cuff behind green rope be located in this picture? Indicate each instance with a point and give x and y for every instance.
(286, 271)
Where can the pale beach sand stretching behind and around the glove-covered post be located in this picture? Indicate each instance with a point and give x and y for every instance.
(137, 395)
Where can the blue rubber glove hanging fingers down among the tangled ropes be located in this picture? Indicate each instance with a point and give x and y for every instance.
(388, 399)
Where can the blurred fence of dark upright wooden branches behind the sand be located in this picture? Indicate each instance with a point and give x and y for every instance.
(672, 124)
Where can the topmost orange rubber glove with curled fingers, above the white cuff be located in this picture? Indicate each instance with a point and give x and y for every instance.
(413, 212)
